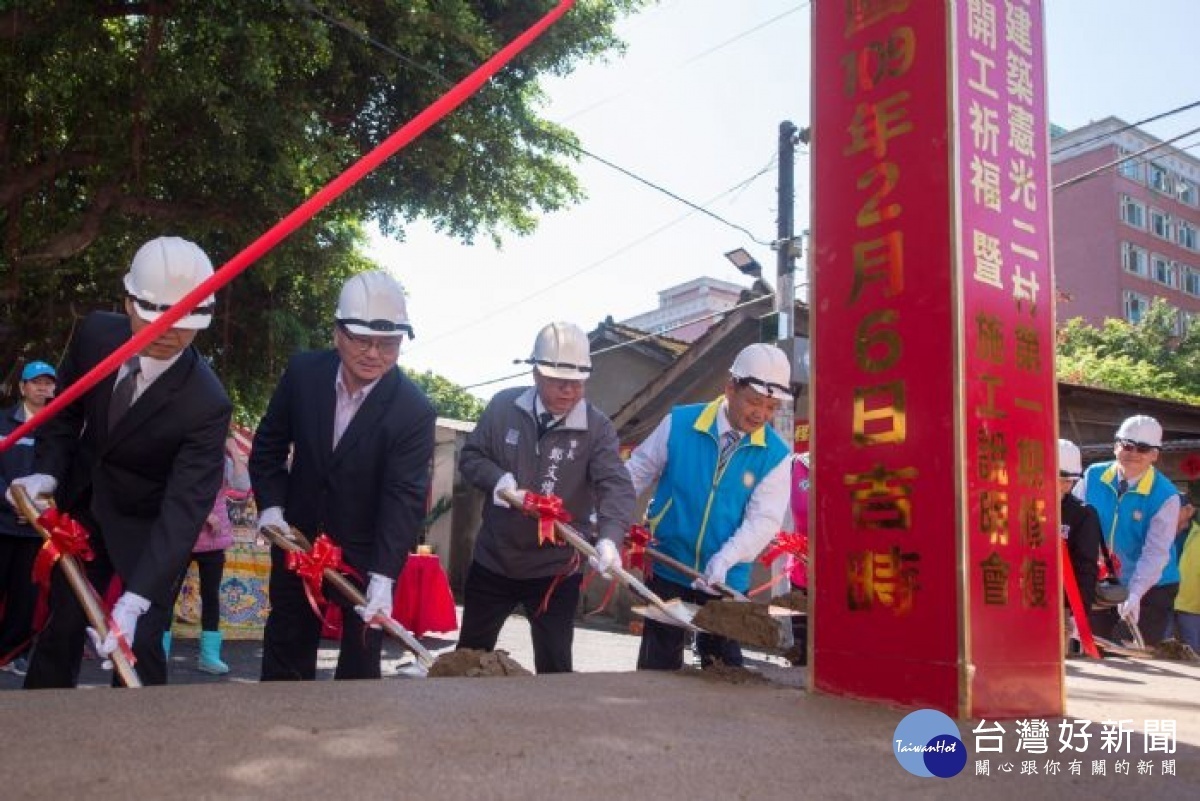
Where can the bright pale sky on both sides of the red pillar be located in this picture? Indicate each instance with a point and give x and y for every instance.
(695, 106)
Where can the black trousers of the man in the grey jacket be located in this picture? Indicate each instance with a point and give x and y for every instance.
(489, 599)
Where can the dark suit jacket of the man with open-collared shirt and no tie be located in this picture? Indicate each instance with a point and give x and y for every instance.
(369, 495)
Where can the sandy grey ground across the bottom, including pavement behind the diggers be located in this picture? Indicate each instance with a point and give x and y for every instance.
(604, 732)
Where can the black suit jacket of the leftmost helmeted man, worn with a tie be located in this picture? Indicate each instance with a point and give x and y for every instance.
(148, 485)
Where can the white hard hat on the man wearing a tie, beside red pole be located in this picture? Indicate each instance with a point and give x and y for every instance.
(164, 270)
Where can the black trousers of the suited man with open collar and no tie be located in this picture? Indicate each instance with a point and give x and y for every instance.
(293, 633)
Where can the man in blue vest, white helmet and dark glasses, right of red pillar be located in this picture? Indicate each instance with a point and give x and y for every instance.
(1139, 511)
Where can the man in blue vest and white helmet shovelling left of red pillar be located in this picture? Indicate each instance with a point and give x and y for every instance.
(724, 483)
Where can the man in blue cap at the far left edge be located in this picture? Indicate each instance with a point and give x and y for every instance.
(19, 541)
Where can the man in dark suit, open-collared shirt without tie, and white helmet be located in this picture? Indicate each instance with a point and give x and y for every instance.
(344, 450)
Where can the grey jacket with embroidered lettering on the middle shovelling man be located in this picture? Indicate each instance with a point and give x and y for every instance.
(579, 461)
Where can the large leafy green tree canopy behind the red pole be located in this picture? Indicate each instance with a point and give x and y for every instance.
(213, 121)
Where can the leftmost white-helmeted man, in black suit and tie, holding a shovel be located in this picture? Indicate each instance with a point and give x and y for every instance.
(137, 461)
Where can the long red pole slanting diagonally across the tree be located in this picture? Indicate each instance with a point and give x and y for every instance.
(303, 214)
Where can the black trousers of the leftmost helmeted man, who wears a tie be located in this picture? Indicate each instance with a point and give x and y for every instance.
(59, 649)
